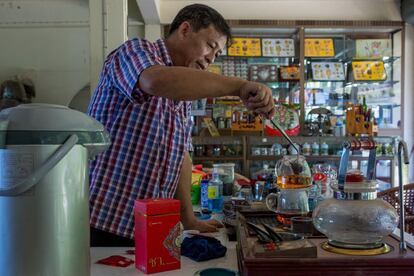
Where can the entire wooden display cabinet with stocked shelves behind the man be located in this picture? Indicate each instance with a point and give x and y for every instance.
(317, 70)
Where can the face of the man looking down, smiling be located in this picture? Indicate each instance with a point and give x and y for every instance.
(202, 47)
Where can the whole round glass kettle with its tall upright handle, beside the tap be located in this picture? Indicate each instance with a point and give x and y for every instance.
(355, 218)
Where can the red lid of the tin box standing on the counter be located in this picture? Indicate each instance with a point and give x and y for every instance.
(157, 206)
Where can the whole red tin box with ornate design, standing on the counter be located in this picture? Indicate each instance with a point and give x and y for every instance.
(157, 235)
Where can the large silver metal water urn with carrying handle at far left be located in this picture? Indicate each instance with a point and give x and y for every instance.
(44, 214)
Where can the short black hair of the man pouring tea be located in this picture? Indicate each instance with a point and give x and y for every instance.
(201, 16)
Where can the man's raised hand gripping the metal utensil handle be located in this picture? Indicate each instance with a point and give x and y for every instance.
(258, 98)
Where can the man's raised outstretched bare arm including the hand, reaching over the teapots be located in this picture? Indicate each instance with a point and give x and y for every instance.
(183, 83)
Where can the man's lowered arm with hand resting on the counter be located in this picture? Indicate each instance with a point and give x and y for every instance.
(183, 194)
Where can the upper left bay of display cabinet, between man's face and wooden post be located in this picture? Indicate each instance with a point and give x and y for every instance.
(274, 62)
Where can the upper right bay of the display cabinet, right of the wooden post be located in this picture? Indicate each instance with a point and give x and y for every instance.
(355, 65)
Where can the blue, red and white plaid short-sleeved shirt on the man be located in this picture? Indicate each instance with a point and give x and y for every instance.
(149, 136)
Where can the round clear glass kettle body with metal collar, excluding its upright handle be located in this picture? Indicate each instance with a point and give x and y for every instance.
(358, 221)
